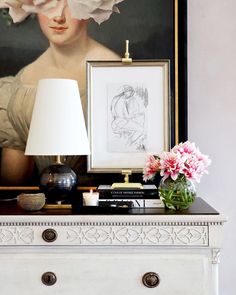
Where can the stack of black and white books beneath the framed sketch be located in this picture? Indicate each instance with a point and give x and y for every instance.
(147, 197)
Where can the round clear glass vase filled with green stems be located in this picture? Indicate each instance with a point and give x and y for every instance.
(177, 194)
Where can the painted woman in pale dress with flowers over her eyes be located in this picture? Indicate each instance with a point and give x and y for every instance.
(64, 23)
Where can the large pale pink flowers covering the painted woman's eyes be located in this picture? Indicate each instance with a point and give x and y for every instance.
(99, 10)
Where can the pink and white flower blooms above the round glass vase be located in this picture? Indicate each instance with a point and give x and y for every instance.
(183, 159)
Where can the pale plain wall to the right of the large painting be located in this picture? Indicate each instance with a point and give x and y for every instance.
(212, 113)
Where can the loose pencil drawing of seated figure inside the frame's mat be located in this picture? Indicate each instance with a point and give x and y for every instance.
(129, 117)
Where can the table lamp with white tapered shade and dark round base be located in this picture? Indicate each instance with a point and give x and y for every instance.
(57, 129)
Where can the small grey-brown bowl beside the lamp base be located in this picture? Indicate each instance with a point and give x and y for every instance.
(31, 202)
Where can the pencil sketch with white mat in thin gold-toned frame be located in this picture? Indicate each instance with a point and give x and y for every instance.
(128, 113)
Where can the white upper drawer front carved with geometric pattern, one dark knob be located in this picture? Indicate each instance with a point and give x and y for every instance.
(92, 235)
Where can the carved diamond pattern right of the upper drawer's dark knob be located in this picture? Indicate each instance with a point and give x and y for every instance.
(176, 235)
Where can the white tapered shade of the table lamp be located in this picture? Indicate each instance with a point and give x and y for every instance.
(57, 124)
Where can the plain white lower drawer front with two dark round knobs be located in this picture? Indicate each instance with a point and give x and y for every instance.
(104, 273)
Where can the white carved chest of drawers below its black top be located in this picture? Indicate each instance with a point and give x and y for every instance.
(110, 254)
